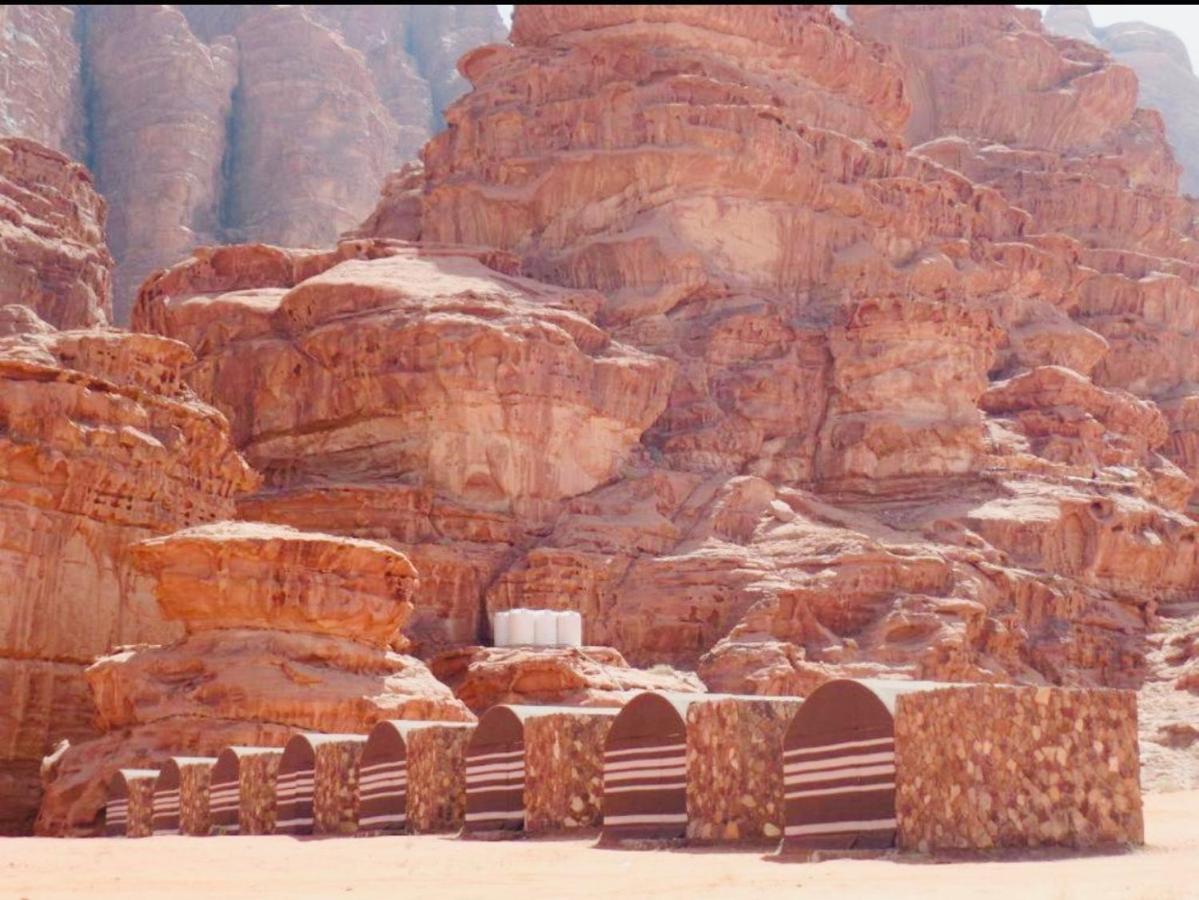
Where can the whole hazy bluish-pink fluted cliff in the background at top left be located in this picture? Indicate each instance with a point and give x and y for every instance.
(219, 124)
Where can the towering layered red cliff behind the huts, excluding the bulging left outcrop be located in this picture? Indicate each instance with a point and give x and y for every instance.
(926, 281)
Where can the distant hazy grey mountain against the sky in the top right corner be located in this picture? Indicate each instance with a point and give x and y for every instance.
(1165, 75)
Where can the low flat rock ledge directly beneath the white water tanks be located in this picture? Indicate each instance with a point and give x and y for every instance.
(569, 676)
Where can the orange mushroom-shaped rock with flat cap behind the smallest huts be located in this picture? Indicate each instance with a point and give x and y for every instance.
(287, 631)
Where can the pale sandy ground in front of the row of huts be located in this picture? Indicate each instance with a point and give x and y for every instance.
(442, 867)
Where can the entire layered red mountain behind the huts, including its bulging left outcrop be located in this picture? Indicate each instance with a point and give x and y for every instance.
(930, 409)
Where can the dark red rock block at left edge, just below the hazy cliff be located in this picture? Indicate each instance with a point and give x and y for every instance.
(53, 258)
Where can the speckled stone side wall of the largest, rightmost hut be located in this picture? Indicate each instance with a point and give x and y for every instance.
(986, 768)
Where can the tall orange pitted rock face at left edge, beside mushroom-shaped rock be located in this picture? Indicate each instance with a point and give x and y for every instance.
(101, 445)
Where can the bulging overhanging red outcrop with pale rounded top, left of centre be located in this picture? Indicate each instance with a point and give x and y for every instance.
(413, 396)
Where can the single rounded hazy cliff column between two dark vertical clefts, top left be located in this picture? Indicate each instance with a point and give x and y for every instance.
(158, 162)
